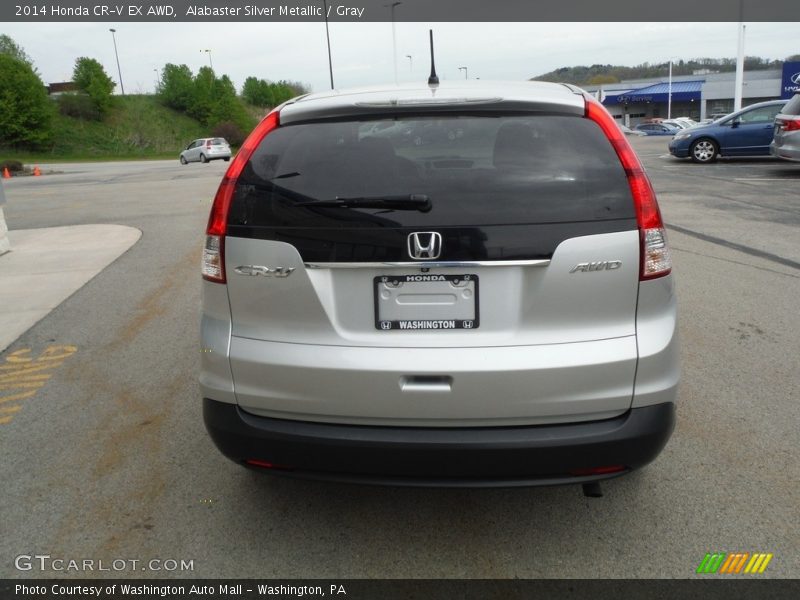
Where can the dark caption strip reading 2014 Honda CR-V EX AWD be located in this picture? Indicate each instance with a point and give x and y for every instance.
(120, 11)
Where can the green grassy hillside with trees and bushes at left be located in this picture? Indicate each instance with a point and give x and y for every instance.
(92, 122)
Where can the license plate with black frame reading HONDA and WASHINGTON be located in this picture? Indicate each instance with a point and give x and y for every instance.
(397, 295)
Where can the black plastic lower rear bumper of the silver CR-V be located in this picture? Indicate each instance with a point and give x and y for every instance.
(442, 457)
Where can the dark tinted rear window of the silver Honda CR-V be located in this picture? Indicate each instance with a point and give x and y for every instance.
(476, 170)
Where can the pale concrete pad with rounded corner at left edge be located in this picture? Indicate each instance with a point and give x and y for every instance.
(47, 266)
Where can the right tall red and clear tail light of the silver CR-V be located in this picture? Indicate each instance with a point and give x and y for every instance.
(655, 258)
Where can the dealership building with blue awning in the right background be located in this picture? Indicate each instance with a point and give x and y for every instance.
(698, 96)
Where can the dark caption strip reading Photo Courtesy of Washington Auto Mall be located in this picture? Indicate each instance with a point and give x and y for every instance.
(713, 588)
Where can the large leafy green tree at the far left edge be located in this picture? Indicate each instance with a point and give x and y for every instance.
(26, 113)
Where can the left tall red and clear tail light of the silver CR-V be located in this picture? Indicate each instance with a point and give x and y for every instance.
(214, 250)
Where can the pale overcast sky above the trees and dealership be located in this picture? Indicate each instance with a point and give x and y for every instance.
(362, 52)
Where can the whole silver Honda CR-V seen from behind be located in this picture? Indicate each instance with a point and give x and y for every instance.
(488, 303)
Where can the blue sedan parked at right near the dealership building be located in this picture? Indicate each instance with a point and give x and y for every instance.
(747, 132)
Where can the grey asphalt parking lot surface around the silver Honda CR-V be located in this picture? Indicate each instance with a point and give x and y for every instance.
(110, 460)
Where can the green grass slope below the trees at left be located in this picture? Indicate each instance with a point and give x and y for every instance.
(137, 128)
